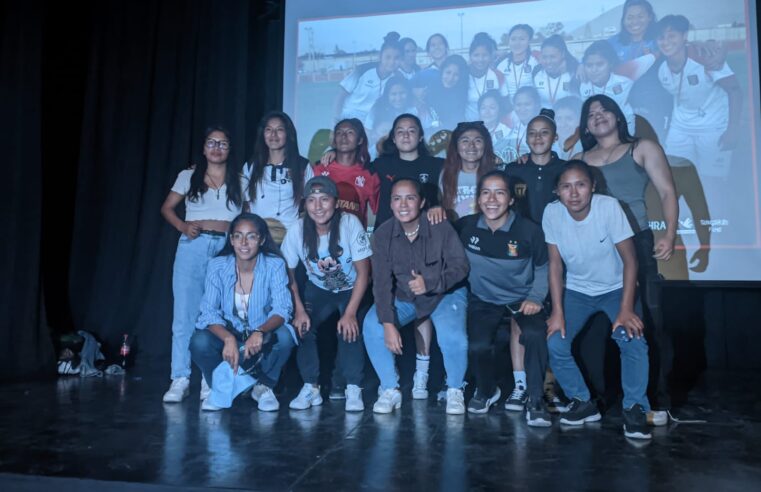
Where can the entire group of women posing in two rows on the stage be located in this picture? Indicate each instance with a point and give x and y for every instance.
(463, 246)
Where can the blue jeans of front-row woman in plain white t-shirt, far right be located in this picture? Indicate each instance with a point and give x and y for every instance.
(578, 308)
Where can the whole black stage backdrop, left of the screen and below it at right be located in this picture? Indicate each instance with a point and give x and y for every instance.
(101, 104)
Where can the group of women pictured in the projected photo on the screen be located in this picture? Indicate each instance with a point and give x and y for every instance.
(686, 94)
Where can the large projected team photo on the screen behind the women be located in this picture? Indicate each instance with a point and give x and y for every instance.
(680, 70)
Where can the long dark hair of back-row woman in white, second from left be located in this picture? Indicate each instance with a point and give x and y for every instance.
(293, 161)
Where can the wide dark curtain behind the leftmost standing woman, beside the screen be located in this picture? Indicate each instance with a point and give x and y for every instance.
(158, 74)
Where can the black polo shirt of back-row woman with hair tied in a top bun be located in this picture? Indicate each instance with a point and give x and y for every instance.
(535, 185)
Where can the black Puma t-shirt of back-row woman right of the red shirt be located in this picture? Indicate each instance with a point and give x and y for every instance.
(425, 169)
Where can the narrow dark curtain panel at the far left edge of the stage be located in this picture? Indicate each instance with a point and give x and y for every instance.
(26, 349)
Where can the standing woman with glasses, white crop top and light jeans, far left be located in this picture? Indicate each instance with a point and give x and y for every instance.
(211, 190)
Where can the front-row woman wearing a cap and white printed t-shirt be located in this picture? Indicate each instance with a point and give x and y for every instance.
(334, 249)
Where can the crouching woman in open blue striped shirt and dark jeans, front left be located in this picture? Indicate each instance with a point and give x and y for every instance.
(244, 312)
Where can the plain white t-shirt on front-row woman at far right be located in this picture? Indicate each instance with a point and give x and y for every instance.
(588, 247)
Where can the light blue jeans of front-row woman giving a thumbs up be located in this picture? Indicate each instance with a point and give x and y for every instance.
(449, 319)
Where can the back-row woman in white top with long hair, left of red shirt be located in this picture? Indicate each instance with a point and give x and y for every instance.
(276, 174)
